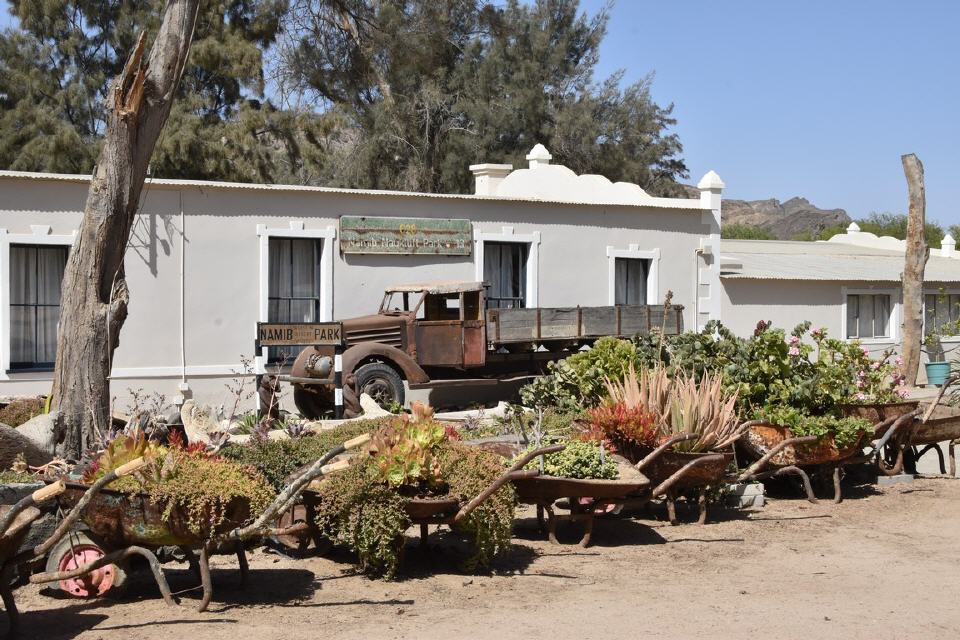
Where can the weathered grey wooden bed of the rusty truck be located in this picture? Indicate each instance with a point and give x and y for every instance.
(507, 326)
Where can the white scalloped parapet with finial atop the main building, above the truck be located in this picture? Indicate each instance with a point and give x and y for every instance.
(545, 181)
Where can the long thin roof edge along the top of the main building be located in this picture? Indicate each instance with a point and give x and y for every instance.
(683, 204)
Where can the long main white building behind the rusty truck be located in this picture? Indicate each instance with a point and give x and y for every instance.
(208, 260)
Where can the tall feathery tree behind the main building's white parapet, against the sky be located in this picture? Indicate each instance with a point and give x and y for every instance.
(428, 86)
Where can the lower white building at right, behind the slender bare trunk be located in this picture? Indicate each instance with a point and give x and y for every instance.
(851, 285)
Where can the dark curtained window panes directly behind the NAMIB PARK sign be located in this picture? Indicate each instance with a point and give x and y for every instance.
(294, 290)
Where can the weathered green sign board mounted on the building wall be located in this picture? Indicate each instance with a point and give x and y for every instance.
(434, 236)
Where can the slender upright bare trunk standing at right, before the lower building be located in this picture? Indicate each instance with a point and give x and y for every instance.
(916, 260)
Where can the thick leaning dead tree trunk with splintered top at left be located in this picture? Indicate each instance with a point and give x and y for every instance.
(94, 297)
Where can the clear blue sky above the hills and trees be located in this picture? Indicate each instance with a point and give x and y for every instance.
(816, 99)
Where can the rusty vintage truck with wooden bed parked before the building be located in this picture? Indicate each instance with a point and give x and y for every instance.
(424, 334)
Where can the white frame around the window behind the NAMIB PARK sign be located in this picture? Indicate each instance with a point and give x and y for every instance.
(295, 229)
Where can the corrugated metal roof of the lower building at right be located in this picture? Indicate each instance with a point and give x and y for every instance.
(783, 260)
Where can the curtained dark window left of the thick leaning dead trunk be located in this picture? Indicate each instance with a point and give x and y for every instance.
(36, 272)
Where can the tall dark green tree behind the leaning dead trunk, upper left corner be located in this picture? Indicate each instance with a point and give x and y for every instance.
(54, 75)
